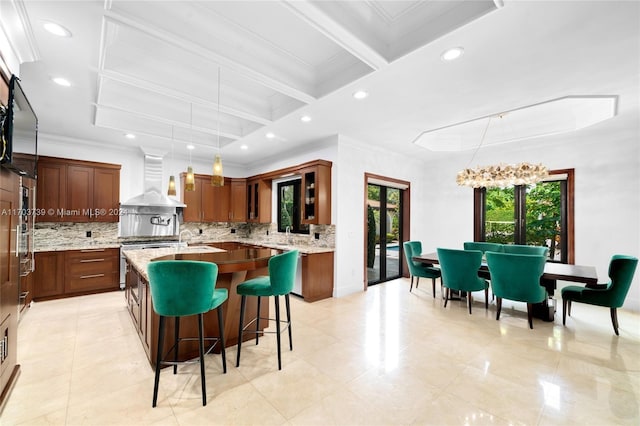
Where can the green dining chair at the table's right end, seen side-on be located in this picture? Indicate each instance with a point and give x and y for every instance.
(612, 294)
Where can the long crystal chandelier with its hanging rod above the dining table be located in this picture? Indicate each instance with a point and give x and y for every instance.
(500, 175)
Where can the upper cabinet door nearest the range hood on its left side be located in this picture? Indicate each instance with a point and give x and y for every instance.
(106, 195)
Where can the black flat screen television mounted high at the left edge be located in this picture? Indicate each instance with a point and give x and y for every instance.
(19, 133)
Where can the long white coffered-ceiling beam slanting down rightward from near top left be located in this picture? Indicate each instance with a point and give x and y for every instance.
(189, 46)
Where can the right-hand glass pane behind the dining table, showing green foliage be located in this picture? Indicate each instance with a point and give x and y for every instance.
(544, 217)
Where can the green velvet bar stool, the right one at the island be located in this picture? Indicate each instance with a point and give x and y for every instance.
(280, 282)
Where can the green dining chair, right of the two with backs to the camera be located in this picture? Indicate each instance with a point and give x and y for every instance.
(517, 277)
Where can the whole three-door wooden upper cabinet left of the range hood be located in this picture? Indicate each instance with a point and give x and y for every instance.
(77, 191)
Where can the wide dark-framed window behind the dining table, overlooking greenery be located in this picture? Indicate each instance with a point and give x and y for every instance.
(540, 214)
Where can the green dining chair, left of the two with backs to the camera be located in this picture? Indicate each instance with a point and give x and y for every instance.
(460, 272)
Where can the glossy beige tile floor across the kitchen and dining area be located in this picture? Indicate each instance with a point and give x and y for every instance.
(381, 357)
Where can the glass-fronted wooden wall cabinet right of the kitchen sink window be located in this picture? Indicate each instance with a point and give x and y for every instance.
(316, 194)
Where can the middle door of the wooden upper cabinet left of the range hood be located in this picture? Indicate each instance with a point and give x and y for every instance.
(79, 193)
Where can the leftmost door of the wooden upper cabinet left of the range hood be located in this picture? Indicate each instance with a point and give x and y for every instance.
(51, 191)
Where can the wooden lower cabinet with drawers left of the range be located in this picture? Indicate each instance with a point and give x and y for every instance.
(75, 272)
